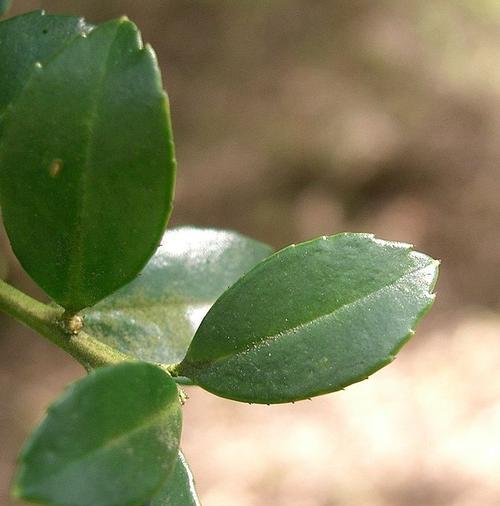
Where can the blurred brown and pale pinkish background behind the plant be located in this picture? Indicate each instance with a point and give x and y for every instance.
(299, 118)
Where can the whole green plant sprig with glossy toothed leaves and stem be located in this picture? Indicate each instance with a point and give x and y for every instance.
(87, 172)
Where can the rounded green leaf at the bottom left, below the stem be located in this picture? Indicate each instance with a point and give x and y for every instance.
(111, 440)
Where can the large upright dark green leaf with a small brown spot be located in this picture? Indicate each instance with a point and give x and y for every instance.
(87, 165)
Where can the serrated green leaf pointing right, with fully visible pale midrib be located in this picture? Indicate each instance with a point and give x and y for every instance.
(311, 319)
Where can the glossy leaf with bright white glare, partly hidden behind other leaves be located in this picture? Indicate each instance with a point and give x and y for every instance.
(155, 317)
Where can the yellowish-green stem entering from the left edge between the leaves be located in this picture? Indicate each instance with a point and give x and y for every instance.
(50, 323)
